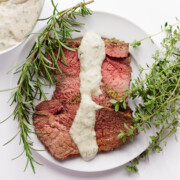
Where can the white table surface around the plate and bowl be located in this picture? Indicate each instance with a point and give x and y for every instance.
(149, 15)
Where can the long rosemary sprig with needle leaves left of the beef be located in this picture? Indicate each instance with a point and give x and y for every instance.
(37, 70)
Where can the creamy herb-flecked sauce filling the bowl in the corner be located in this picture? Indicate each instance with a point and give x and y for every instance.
(17, 19)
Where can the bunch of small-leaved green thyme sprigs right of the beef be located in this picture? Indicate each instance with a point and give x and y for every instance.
(160, 92)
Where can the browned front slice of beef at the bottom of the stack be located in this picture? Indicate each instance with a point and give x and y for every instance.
(56, 123)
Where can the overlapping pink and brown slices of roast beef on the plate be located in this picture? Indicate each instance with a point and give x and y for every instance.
(54, 118)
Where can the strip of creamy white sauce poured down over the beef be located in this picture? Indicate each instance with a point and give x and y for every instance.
(91, 54)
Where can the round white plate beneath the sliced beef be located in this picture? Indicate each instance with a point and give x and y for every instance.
(107, 25)
